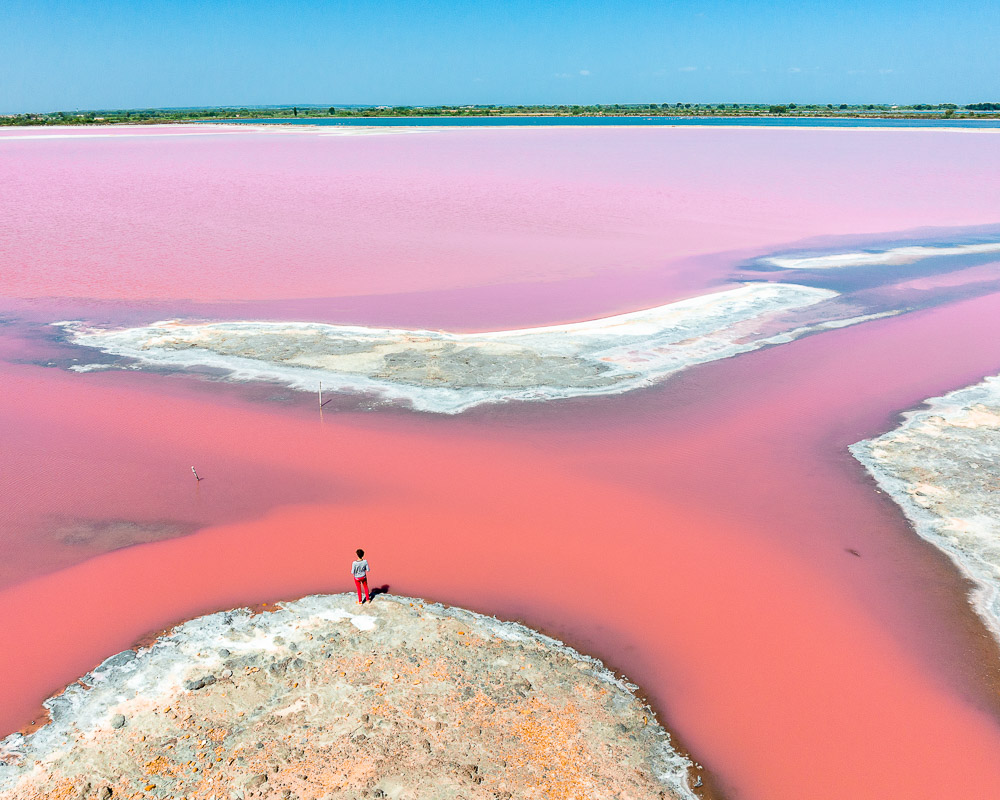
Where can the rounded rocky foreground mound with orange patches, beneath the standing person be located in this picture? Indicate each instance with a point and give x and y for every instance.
(317, 699)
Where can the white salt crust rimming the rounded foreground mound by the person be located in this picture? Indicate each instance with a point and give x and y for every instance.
(155, 675)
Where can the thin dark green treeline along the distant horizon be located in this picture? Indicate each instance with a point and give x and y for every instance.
(98, 117)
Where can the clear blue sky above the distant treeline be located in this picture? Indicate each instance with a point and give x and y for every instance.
(67, 54)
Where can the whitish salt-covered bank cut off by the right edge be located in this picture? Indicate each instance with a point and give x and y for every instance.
(942, 466)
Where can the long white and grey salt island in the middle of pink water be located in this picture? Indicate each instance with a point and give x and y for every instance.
(450, 372)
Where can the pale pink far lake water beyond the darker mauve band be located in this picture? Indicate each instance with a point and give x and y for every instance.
(294, 215)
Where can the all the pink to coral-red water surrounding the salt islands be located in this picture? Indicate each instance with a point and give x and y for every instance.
(692, 535)
